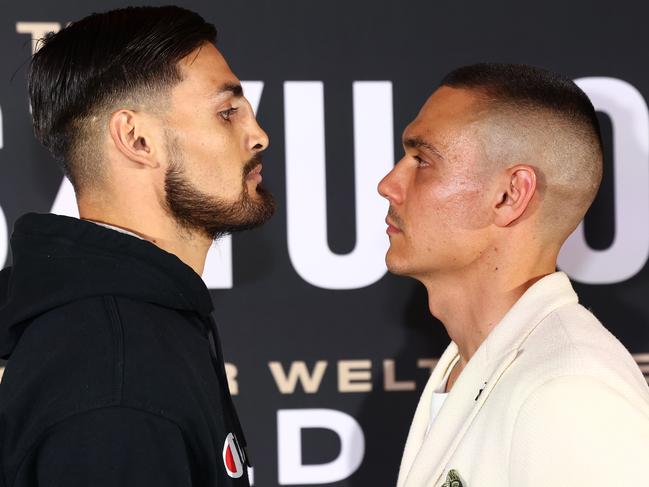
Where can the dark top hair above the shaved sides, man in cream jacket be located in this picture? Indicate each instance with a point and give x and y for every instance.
(529, 87)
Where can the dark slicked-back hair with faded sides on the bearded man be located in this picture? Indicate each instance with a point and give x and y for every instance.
(123, 58)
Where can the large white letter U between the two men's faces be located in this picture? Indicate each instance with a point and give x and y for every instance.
(306, 184)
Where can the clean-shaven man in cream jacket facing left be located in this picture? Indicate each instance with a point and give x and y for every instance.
(500, 166)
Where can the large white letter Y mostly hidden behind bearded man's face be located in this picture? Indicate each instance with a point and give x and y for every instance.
(217, 273)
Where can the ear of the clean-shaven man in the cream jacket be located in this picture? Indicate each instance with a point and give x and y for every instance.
(515, 195)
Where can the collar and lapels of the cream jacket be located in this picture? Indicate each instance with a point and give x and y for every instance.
(425, 455)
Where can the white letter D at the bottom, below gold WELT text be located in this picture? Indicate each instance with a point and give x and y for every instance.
(291, 422)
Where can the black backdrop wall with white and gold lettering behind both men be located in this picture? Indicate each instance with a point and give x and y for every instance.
(327, 354)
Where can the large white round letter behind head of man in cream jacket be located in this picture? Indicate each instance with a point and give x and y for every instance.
(630, 249)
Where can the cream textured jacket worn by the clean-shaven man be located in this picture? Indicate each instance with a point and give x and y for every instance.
(550, 399)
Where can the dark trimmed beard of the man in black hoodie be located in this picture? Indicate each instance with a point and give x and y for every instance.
(209, 215)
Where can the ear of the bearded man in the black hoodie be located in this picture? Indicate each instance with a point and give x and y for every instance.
(131, 133)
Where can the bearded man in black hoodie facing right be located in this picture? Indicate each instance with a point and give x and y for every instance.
(115, 374)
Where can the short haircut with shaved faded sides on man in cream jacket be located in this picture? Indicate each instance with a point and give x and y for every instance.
(538, 117)
